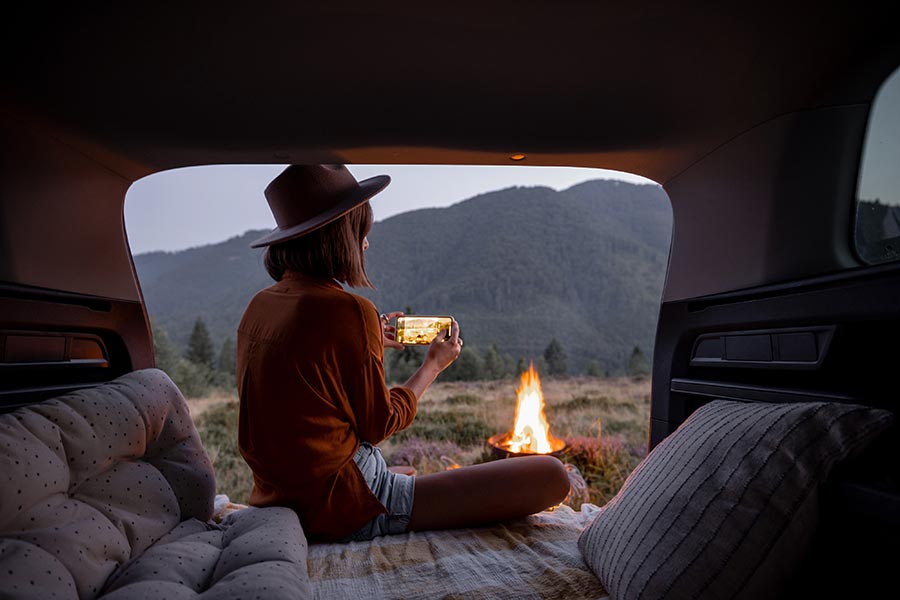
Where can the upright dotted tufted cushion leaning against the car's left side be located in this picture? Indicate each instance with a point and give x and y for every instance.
(91, 479)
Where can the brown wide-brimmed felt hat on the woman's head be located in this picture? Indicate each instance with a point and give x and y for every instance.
(305, 197)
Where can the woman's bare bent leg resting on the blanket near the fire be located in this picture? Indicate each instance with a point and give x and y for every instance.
(489, 492)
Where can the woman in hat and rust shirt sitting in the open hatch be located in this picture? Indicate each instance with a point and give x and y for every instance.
(314, 403)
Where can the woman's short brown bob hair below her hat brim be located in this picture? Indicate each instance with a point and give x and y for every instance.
(333, 251)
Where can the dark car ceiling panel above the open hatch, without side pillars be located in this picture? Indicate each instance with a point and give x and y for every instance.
(645, 87)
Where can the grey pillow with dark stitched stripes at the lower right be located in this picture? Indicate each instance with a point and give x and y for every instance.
(727, 504)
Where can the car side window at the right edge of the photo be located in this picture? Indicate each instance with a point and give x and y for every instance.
(878, 192)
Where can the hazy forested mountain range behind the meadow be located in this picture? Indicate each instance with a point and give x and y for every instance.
(516, 267)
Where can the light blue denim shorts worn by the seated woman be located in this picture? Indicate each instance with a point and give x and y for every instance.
(394, 490)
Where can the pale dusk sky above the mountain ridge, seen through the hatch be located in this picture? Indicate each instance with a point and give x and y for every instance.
(195, 206)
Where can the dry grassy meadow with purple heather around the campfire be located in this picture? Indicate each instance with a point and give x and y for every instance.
(604, 421)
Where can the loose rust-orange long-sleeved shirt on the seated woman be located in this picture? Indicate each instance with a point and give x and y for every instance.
(310, 376)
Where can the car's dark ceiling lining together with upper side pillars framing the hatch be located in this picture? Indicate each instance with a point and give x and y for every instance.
(753, 118)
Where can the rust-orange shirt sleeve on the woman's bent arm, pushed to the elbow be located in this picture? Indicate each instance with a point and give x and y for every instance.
(379, 411)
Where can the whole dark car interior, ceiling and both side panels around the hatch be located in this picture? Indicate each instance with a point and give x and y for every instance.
(753, 119)
